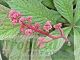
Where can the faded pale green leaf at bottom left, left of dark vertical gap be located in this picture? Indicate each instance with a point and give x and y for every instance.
(17, 48)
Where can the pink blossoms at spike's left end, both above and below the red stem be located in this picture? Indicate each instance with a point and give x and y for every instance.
(16, 17)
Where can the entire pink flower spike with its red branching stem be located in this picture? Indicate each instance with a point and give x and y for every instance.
(28, 28)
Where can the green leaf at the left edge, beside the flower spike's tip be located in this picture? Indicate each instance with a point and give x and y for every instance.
(7, 30)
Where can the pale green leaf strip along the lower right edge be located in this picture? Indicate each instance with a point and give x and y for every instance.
(76, 43)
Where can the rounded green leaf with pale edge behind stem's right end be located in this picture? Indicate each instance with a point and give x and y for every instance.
(55, 45)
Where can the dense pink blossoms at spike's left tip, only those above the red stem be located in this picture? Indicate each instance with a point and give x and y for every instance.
(16, 17)
